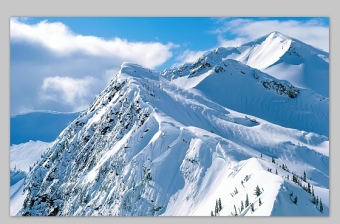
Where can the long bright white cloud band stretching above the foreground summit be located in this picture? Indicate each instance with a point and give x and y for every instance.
(58, 38)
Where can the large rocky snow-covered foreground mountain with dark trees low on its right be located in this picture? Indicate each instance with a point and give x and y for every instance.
(148, 147)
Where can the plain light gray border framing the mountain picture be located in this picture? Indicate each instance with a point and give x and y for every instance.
(158, 8)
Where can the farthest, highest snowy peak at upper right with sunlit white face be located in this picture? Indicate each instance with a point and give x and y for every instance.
(289, 59)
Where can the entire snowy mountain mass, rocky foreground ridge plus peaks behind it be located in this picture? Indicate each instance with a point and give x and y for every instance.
(215, 137)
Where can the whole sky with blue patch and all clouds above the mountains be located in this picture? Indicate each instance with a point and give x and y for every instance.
(62, 63)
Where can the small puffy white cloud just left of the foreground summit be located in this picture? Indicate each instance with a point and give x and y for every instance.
(67, 90)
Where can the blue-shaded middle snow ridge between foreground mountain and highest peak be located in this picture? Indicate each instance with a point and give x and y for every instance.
(247, 90)
